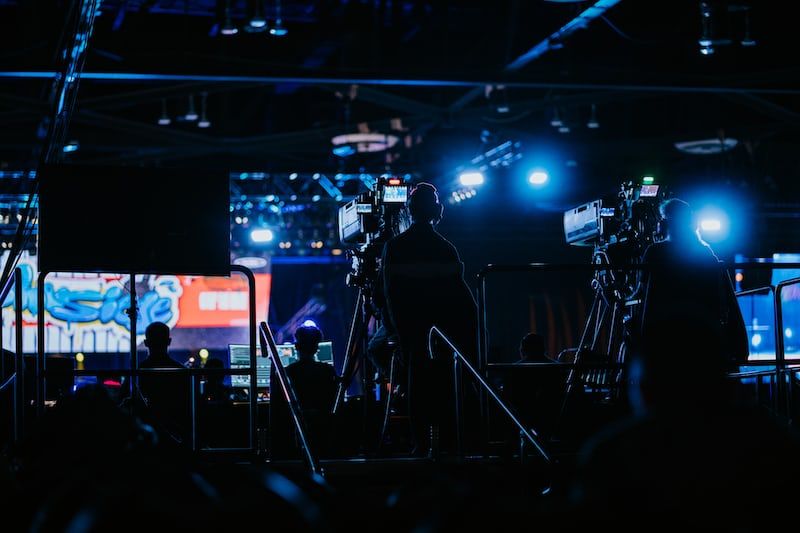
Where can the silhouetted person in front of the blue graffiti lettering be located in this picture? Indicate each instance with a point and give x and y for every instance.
(166, 395)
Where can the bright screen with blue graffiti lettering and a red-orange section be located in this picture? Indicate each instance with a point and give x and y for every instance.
(89, 312)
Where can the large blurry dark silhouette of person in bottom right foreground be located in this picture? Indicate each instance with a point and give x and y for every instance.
(693, 454)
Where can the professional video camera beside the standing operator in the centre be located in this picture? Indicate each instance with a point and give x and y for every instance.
(368, 221)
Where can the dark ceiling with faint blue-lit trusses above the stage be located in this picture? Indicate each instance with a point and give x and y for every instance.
(353, 65)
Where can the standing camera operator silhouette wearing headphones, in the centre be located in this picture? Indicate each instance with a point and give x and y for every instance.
(424, 287)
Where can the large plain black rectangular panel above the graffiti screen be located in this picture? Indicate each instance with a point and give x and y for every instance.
(130, 219)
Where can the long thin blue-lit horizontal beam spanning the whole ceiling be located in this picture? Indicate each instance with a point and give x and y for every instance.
(395, 82)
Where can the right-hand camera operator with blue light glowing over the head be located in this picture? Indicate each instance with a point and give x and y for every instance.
(684, 275)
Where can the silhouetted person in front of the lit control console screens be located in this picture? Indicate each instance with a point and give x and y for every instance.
(314, 385)
